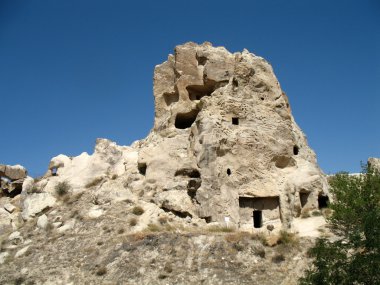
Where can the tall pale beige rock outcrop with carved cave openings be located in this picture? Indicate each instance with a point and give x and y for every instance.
(224, 148)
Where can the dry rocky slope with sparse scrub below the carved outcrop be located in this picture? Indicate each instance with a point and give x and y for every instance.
(74, 247)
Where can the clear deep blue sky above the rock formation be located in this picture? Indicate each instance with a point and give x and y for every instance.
(72, 71)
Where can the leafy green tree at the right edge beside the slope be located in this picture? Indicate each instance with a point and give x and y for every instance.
(353, 257)
